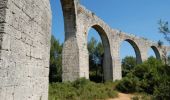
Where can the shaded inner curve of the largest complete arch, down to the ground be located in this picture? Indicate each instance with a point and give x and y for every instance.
(107, 59)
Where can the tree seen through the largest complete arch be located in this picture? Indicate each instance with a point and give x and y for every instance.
(96, 52)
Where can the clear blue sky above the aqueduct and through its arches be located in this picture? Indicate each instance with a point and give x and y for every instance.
(138, 17)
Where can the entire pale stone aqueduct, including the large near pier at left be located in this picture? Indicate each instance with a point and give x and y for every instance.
(25, 31)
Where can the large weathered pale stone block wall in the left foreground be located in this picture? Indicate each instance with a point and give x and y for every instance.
(25, 31)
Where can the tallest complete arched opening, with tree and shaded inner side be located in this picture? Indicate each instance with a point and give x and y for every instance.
(99, 55)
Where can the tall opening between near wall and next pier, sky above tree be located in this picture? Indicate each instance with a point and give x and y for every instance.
(57, 39)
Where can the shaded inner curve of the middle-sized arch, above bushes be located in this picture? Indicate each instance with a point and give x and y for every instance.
(136, 49)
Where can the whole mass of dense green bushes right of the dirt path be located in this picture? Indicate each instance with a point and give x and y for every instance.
(151, 77)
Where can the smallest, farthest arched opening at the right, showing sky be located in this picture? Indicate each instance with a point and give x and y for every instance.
(153, 52)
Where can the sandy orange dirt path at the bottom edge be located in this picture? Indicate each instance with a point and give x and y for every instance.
(123, 96)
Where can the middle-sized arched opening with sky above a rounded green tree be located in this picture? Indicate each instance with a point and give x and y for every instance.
(130, 56)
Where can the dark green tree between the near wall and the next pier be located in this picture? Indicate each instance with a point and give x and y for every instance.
(55, 61)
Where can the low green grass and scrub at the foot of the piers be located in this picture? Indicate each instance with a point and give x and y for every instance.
(81, 89)
